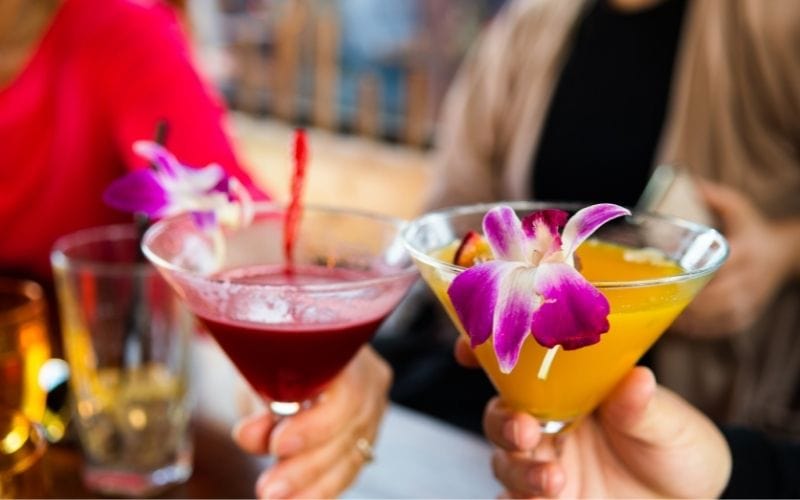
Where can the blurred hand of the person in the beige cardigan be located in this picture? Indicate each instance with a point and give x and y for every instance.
(762, 255)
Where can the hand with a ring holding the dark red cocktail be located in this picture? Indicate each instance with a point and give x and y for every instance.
(316, 450)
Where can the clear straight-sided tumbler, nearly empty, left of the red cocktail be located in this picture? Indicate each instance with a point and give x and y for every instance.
(126, 340)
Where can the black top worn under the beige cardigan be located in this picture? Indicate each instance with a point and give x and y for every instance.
(605, 118)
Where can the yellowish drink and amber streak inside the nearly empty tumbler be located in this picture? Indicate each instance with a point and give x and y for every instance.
(131, 418)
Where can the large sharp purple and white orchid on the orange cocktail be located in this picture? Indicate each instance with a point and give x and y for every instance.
(532, 286)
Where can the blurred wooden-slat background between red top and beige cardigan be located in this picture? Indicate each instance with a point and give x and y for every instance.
(368, 76)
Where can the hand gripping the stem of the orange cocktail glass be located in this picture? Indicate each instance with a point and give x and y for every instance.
(643, 441)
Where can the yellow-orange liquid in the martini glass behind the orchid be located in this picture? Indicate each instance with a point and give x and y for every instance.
(579, 379)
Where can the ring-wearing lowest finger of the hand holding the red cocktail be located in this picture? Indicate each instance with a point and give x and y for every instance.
(301, 472)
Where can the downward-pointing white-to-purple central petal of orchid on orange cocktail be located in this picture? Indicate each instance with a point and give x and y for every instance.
(514, 311)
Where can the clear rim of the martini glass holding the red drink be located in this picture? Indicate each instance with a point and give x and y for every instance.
(266, 207)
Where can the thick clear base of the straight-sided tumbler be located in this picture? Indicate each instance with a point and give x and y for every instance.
(114, 481)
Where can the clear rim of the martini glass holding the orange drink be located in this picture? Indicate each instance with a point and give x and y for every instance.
(476, 208)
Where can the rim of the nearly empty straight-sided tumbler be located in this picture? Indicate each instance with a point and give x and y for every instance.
(60, 258)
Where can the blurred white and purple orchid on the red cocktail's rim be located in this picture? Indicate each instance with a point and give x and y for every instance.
(170, 188)
